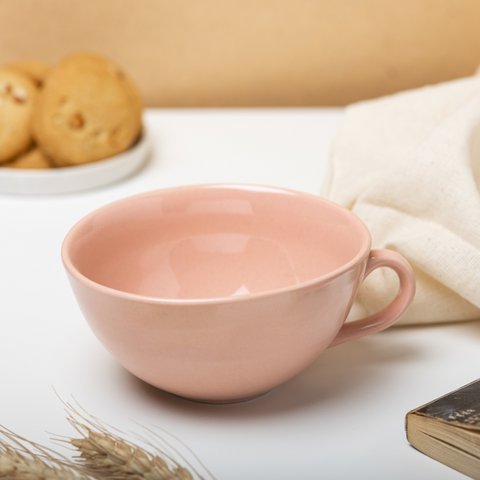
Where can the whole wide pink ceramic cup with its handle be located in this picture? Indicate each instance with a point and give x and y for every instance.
(219, 293)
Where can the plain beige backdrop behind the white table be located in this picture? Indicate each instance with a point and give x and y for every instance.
(255, 52)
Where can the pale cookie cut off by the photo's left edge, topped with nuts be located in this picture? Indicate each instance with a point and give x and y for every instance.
(18, 95)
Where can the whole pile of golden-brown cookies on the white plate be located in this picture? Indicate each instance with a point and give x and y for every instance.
(82, 110)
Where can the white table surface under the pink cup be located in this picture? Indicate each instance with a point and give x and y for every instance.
(342, 418)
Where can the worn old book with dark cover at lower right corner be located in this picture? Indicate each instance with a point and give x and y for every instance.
(448, 429)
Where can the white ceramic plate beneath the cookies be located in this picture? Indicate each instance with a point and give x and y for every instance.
(74, 179)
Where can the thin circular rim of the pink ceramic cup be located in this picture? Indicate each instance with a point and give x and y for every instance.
(363, 253)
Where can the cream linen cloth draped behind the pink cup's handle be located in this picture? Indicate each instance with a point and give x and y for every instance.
(409, 166)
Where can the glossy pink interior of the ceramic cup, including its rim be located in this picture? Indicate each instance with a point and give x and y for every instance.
(215, 241)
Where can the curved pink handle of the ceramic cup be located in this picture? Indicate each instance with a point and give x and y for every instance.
(390, 314)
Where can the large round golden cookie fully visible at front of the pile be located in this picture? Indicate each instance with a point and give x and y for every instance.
(88, 110)
